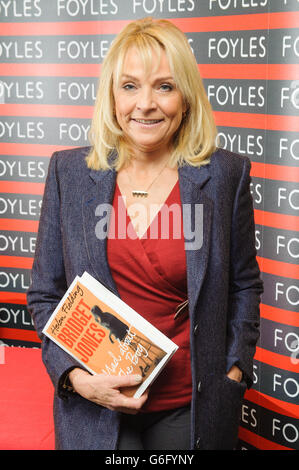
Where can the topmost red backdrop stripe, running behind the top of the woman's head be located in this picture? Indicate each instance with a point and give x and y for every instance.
(187, 25)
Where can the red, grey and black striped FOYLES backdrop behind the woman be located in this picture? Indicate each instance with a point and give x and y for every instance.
(247, 51)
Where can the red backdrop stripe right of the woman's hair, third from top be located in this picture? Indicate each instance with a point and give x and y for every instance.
(257, 121)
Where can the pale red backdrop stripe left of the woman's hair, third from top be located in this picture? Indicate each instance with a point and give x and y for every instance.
(46, 110)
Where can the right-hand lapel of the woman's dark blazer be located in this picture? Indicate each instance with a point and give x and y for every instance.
(197, 217)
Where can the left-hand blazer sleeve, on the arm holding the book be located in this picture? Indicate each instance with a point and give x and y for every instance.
(48, 282)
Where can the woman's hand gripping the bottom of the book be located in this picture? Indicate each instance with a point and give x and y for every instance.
(104, 390)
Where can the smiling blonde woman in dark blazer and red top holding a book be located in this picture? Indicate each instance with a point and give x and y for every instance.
(153, 149)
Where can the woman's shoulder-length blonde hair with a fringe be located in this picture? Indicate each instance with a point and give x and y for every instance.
(194, 141)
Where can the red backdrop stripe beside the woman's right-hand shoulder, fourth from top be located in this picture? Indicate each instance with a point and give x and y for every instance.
(275, 172)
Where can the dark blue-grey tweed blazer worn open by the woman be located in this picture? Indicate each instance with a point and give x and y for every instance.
(224, 289)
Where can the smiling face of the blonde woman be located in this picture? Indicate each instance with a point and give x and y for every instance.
(148, 106)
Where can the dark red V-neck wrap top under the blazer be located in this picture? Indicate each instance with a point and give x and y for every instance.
(150, 275)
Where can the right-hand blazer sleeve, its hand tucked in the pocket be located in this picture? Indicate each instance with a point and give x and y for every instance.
(246, 286)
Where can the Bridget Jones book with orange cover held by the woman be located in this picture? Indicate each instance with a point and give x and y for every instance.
(106, 336)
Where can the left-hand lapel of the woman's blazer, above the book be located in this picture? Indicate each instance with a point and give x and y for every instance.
(96, 207)
